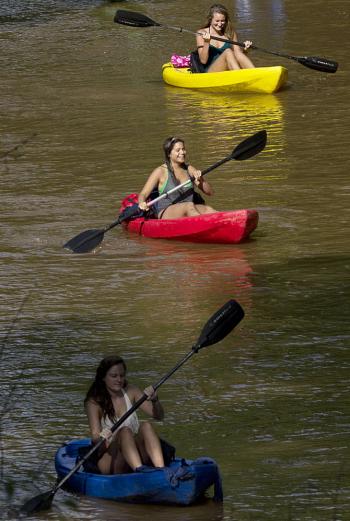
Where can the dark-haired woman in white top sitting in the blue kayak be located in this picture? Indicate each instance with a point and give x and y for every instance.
(134, 443)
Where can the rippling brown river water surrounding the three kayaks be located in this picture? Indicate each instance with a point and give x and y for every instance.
(271, 402)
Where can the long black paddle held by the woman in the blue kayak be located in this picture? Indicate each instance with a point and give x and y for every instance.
(216, 329)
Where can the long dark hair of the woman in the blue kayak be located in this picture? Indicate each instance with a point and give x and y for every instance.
(98, 391)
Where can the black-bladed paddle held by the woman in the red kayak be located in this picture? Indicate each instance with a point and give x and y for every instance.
(88, 240)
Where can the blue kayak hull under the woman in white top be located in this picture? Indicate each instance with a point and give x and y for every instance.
(183, 482)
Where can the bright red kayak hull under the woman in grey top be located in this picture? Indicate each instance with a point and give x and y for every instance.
(229, 227)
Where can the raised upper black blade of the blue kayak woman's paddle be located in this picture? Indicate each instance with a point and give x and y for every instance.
(220, 325)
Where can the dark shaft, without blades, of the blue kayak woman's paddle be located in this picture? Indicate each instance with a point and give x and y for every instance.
(121, 420)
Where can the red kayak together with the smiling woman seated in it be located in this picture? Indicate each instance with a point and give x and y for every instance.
(182, 214)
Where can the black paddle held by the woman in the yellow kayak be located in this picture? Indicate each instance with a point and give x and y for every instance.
(140, 20)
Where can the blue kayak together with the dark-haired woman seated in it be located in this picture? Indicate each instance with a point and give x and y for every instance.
(133, 464)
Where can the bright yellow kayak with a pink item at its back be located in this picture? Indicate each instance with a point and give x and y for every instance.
(260, 79)
